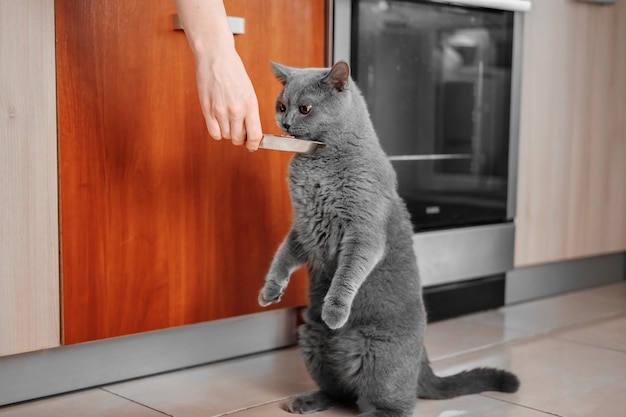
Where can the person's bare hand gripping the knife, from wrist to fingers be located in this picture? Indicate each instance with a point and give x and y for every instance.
(228, 100)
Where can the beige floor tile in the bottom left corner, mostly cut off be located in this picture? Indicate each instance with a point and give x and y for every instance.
(92, 403)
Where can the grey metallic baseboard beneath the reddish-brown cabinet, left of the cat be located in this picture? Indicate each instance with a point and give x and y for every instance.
(54, 371)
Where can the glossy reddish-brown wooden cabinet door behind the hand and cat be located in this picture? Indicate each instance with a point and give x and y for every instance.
(160, 225)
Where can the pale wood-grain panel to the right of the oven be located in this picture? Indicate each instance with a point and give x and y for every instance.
(572, 172)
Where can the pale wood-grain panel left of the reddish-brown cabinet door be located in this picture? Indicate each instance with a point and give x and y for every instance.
(29, 264)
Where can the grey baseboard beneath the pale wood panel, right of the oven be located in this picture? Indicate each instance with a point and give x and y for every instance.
(528, 283)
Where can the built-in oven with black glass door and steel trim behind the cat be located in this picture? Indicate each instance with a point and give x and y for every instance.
(442, 84)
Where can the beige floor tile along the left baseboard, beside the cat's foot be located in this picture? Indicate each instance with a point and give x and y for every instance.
(223, 387)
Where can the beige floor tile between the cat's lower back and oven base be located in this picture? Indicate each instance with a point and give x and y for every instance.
(453, 337)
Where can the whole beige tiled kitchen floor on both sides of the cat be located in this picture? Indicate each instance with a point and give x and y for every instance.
(569, 352)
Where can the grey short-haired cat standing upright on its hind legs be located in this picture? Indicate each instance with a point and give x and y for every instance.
(364, 329)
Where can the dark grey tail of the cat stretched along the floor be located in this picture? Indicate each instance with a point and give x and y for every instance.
(473, 381)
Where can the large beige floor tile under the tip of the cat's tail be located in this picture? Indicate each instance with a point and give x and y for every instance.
(557, 376)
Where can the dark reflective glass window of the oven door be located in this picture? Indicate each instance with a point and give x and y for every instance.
(437, 81)
